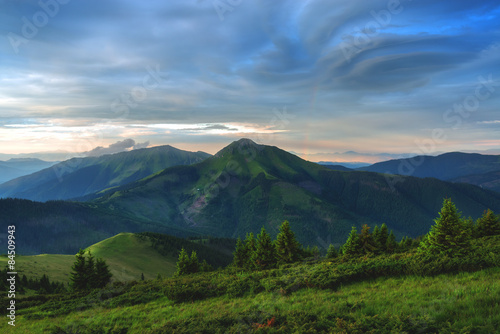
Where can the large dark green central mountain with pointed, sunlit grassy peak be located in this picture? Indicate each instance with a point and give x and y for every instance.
(246, 186)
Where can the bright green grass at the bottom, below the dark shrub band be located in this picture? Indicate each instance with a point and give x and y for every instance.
(454, 303)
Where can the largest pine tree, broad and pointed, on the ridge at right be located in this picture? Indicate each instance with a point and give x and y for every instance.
(448, 235)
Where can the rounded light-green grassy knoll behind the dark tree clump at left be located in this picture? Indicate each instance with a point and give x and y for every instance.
(128, 256)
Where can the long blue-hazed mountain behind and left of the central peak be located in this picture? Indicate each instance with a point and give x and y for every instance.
(79, 177)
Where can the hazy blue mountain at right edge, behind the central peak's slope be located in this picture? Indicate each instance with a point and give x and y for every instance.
(446, 166)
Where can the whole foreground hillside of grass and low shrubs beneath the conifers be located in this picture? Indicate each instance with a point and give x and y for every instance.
(372, 294)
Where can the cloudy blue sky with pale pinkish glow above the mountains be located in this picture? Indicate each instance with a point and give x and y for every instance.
(315, 77)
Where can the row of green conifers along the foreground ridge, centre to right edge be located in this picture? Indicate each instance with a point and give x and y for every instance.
(450, 235)
